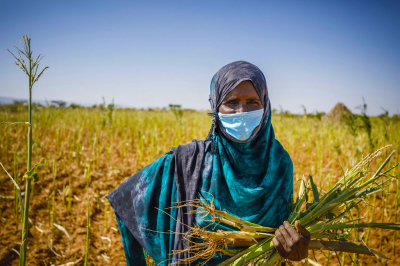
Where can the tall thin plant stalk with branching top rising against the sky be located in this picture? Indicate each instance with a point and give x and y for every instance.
(31, 70)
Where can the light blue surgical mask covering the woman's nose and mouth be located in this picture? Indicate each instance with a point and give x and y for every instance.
(241, 125)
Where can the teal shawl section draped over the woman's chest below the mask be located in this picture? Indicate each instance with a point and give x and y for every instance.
(252, 180)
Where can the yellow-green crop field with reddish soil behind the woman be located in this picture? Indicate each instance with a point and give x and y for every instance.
(87, 152)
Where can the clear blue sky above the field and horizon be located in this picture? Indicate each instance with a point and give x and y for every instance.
(153, 53)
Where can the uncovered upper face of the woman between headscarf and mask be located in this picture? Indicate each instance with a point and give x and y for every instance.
(243, 98)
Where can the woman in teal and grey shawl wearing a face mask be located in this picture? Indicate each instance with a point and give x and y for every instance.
(240, 165)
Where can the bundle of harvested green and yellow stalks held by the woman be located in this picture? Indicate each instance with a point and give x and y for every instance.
(328, 218)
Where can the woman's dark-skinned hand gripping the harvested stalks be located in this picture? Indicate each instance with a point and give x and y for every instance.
(289, 243)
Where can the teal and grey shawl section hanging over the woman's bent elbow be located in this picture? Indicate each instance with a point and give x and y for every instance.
(141, 225)
